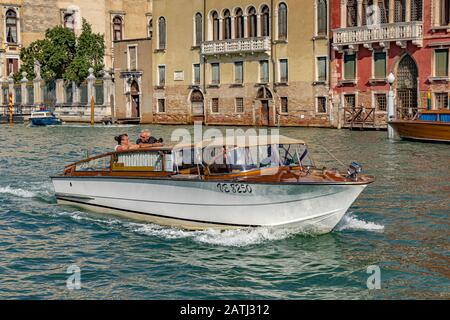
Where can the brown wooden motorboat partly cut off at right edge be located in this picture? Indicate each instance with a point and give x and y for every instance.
(430, 125)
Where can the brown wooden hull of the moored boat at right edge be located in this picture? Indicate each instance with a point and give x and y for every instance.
(422, 130)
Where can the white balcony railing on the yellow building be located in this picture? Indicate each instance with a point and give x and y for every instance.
(261, 44)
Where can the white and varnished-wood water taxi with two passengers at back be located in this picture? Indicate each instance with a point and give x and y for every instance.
(229, 183)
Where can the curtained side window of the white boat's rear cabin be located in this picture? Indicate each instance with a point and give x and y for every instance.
(143, 161)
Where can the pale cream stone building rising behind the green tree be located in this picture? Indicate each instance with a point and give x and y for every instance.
(24, 21)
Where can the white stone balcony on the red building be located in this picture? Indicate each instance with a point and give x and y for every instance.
(382, 34)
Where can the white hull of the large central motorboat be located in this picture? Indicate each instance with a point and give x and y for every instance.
(197, 205)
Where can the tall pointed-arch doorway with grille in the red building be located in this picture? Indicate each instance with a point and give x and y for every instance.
(407, 74)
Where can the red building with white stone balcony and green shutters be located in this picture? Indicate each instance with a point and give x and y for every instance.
(371, 39)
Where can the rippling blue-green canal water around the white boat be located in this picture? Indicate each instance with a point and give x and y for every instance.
(399, 226)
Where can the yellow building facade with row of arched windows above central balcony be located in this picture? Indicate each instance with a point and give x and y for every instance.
(237, 62)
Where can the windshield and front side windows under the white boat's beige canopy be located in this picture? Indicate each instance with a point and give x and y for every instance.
(228, 160)
